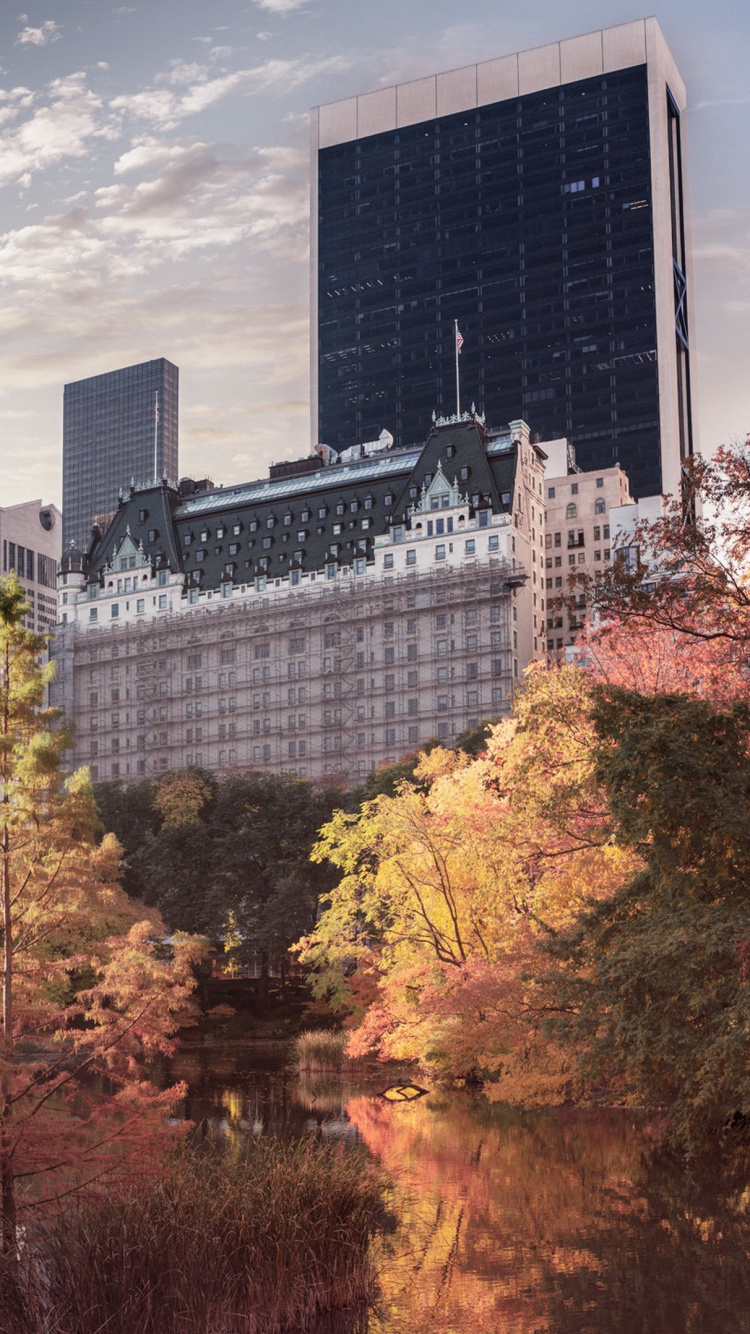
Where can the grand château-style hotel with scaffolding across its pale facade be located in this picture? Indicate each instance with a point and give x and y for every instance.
(322, 621)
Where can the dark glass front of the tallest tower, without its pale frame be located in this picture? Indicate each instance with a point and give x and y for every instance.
(529, 222)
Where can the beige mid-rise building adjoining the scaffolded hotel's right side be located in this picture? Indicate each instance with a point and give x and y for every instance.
(583, 532)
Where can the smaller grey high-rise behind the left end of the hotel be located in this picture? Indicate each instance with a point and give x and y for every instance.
(118, 428)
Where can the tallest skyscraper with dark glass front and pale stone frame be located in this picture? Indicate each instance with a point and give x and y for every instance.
(540, 199)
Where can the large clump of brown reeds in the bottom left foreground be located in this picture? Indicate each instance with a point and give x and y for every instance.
(265, 1243)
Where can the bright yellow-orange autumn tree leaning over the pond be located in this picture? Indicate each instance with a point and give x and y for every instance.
(433, 936)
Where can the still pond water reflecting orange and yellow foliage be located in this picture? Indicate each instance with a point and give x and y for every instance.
(565, 1223)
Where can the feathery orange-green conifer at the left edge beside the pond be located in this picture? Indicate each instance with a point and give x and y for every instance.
(89, 989)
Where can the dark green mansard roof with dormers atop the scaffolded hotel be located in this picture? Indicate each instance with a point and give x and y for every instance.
(305, 522)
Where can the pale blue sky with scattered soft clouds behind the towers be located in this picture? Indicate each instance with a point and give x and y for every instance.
(155, 186)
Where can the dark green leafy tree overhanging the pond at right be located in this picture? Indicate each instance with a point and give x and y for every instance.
(656, 993)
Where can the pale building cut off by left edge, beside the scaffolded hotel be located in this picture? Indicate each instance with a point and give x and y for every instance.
(31, 537)
